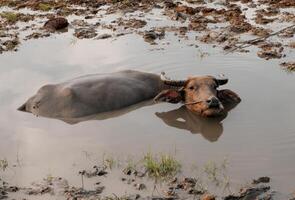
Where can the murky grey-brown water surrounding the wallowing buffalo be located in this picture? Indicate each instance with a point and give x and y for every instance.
(257, 137)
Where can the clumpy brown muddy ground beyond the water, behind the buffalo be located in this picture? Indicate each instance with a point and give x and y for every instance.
(233, 25)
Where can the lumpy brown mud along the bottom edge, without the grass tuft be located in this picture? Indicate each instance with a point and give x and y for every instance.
(176, 187)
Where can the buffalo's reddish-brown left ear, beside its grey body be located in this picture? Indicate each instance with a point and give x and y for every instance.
(170, 96)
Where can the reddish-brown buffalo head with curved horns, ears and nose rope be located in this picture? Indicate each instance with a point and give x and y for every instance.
(199, 94)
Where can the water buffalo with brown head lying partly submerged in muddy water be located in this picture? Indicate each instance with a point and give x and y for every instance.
(99, 93)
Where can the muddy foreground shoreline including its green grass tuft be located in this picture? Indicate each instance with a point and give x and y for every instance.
(152, 177)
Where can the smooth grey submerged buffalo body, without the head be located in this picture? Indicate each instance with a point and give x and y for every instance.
(92, 94)
